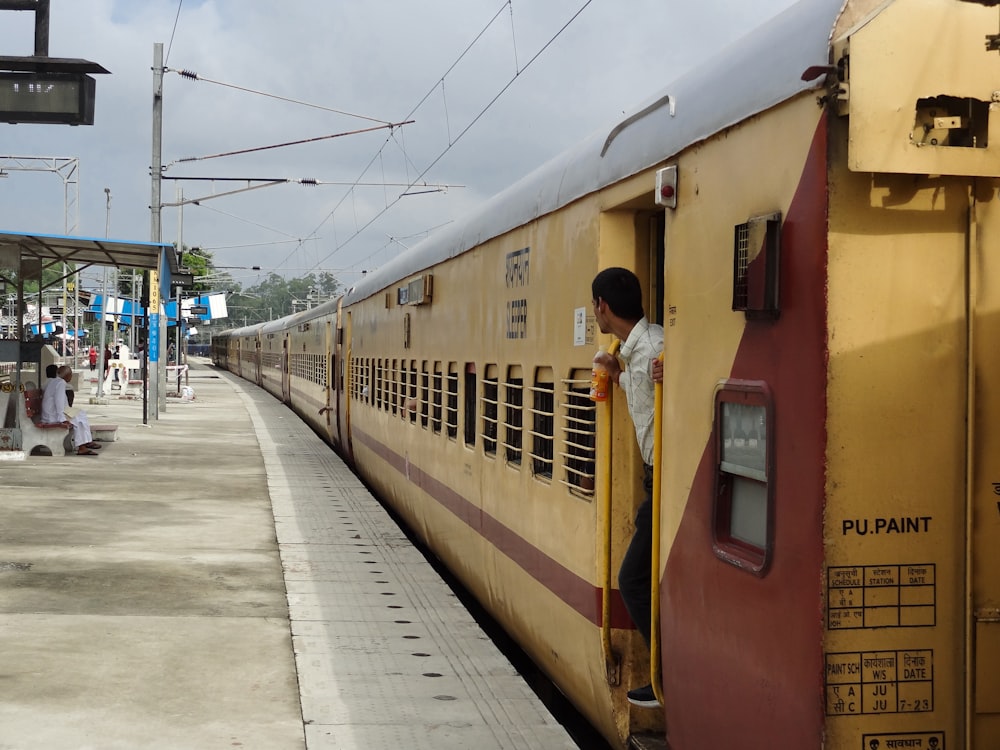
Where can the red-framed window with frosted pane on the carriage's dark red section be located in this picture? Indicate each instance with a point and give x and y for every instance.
(743, 513)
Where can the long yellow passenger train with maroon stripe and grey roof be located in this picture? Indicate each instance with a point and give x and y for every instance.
(814, 215)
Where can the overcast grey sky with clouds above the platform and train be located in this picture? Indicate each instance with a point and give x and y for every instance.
(493, 89)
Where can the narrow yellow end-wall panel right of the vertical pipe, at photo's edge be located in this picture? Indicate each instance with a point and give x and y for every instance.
(983, 483)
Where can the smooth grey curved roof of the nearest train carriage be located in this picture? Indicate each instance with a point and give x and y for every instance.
(749, 76)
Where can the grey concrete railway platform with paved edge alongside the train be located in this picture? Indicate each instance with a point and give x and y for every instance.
(220, 579)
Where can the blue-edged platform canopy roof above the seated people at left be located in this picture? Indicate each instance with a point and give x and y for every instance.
(89, 251)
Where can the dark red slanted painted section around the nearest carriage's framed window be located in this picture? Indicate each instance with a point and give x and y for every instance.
(742, 655)
